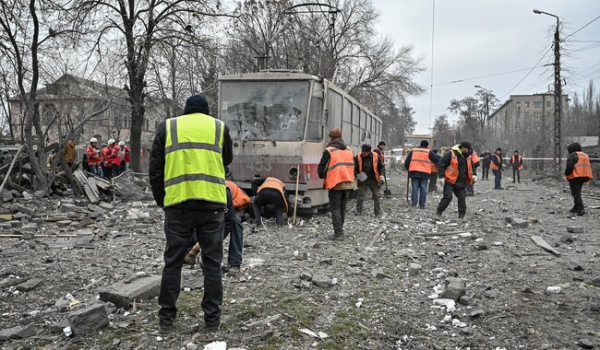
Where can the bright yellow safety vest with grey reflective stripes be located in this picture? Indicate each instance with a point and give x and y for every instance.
(193, 160)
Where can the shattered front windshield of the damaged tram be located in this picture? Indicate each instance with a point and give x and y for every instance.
(260, 110)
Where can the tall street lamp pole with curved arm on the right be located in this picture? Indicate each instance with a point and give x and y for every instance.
(557, 93)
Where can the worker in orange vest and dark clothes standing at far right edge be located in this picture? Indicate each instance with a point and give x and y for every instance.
(578, 172)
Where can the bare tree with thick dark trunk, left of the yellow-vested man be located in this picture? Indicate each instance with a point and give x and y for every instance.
(140, 25)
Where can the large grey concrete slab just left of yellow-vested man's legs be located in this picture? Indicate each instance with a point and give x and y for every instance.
(123, 294)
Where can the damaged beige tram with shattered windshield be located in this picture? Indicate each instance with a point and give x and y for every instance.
(279, 121)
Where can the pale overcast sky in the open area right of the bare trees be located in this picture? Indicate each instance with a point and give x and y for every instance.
(475, 38)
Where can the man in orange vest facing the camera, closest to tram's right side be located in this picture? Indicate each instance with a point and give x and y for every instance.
(369, 167)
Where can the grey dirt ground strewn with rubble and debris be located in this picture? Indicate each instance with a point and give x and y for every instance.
(352, 294)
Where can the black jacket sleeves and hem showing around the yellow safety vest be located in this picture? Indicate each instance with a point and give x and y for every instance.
(157, 171)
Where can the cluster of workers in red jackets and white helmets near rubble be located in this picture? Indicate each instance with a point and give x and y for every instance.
(108, 161)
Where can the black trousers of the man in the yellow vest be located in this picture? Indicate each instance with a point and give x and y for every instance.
(180, 226)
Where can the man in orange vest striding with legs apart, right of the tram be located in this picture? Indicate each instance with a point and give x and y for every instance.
(457, 169)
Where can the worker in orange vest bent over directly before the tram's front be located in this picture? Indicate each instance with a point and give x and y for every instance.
(272, 191)
